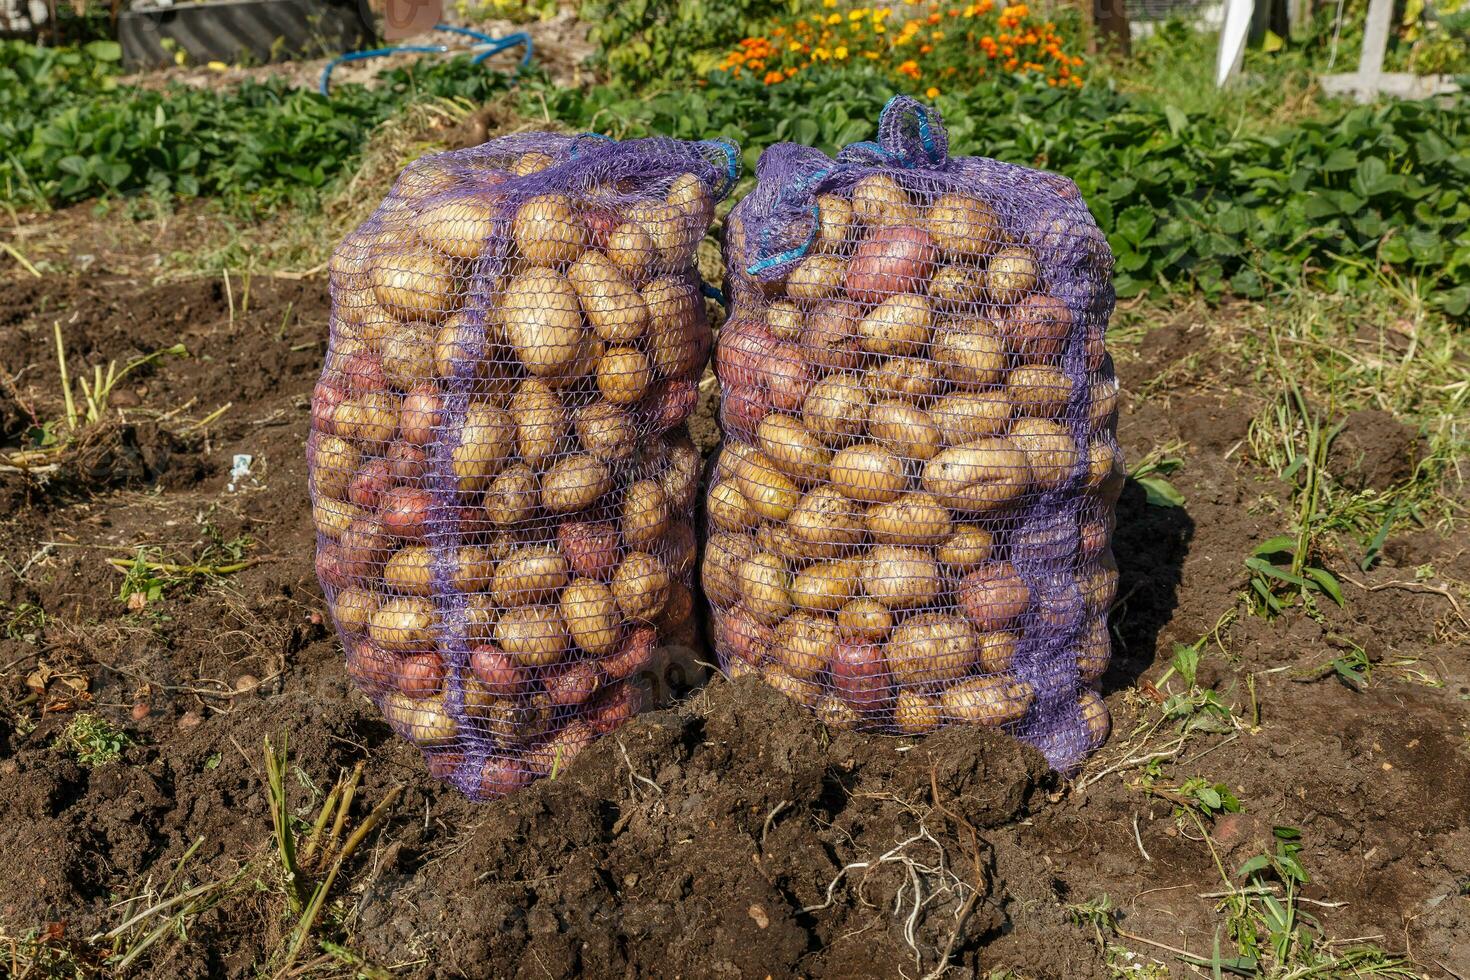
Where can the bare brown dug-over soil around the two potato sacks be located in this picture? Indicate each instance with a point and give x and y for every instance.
(703, 841)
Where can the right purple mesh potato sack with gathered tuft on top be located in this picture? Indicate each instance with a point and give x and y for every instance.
(909, 522)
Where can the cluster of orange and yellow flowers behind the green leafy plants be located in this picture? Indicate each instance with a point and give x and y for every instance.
(934, 42)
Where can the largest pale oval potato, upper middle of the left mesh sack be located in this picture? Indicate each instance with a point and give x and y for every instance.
(543, 323)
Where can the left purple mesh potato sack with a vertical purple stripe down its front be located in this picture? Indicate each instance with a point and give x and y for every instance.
(501, 477)
